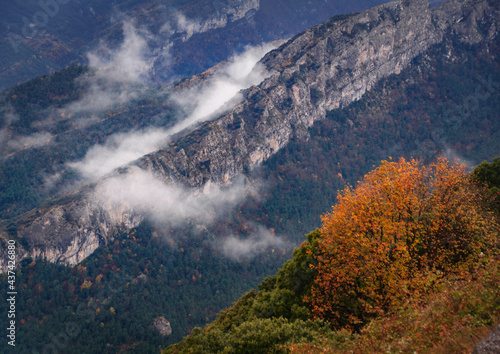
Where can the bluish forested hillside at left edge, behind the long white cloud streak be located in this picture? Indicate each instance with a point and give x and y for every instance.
(39, 134)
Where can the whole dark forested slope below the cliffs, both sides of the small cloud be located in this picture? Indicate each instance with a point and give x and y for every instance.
(304, 176)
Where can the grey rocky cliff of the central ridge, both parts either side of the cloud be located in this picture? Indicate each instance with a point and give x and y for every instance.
(326, 67)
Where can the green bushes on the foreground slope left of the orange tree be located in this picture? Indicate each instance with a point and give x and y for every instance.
(263, 320)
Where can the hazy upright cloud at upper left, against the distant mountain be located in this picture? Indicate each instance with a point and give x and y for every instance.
(116, 76)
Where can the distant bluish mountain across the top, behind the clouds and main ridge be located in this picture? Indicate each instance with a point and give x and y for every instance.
(185, 37)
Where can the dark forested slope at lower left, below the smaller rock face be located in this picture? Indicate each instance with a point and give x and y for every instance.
(111, 299)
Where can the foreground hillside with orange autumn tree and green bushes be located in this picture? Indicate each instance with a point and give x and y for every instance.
(408, 261)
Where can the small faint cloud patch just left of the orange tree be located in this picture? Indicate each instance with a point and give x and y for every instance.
(243, 249)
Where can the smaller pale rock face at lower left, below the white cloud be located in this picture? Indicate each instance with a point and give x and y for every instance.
(69, 232)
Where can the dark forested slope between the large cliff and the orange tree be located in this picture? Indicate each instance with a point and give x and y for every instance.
(437, 106)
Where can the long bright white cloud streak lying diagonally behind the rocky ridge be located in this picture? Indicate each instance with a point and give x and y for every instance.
(199, 104)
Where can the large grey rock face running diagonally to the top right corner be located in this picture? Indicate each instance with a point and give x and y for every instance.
(326, 67)
